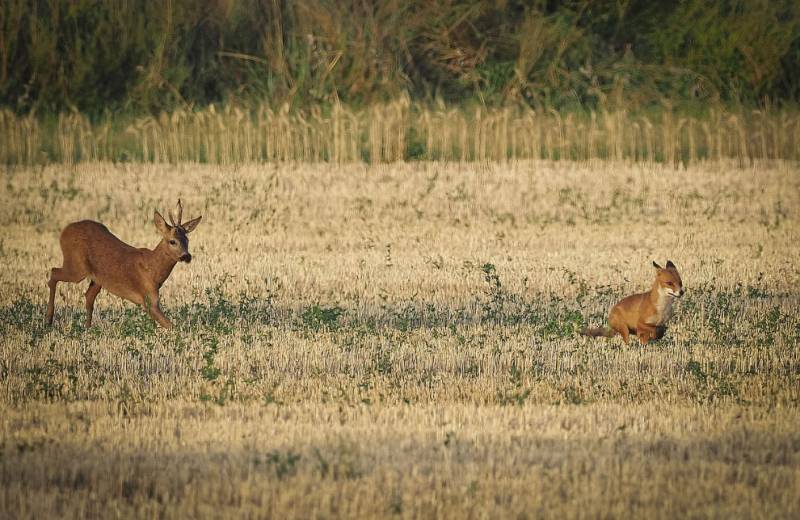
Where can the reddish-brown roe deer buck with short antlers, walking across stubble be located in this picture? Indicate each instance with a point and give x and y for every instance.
(91, 250)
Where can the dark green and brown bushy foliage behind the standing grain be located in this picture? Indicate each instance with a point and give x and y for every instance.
(137, 57)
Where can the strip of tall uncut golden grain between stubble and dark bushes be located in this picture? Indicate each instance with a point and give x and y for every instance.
(400, 130)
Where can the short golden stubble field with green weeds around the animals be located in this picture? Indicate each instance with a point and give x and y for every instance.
(400, 340)
